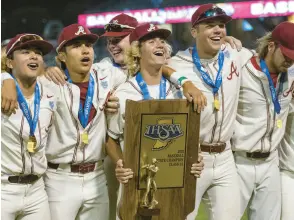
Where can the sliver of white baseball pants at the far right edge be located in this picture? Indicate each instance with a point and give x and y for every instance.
(287, 184)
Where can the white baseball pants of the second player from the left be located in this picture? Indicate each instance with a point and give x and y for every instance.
(77, 196)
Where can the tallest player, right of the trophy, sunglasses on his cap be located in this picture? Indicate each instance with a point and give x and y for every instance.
(214, 68)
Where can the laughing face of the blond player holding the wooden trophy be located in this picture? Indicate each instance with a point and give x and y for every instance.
(153, 52)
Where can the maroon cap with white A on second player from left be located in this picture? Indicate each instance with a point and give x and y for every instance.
(75, 31)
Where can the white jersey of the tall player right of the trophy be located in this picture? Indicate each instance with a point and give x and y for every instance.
(215, 125)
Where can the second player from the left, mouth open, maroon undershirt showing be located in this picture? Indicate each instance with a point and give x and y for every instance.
(75, 180)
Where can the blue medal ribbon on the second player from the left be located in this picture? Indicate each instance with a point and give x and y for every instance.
(85, 112)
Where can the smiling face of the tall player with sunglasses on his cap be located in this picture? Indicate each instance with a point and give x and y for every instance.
(209, 35)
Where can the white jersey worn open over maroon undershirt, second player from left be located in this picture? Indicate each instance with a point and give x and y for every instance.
(65, 144)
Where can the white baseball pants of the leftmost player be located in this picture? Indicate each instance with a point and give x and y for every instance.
(24, 201)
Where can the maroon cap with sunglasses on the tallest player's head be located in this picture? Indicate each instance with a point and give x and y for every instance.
(208, 12)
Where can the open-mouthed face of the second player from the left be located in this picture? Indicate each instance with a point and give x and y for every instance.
(78, 56)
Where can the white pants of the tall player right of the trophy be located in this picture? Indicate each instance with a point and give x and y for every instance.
(218, 187)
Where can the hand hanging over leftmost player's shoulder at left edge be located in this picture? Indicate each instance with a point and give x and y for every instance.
(9, 102)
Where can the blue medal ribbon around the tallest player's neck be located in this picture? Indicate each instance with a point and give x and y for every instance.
(206, 78)
